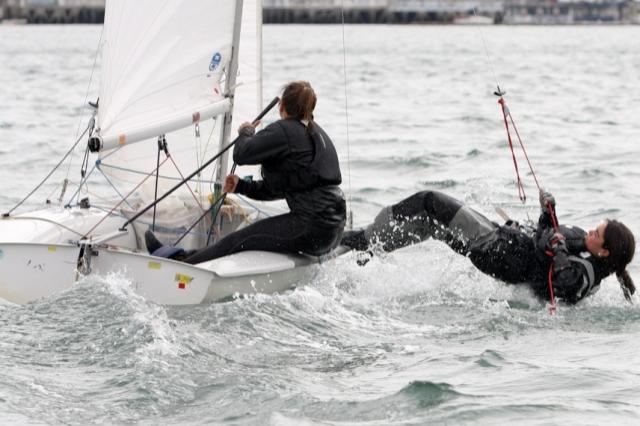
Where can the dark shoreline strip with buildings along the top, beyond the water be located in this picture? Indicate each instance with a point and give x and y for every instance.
(515, 12)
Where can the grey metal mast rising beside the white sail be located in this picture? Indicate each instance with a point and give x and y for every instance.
(230, 88)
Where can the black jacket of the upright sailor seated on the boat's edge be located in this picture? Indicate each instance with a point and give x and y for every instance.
(299, 164)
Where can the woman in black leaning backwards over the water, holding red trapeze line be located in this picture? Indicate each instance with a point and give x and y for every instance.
(565, 261)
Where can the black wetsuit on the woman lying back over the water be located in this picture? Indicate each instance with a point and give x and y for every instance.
(510, 252)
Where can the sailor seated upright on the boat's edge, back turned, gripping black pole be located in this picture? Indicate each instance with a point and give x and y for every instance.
(300, 164)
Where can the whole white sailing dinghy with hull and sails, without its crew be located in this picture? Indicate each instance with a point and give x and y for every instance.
(169, 69)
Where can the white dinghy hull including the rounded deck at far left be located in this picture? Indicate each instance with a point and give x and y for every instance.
(40, 251)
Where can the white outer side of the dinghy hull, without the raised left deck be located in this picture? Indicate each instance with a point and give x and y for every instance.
(32, 271)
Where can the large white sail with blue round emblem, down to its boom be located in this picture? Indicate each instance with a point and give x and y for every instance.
(162, 62)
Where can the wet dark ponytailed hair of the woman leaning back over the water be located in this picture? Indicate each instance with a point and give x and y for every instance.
(619, 240)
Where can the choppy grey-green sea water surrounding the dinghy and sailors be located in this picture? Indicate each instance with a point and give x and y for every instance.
(415, 337)
